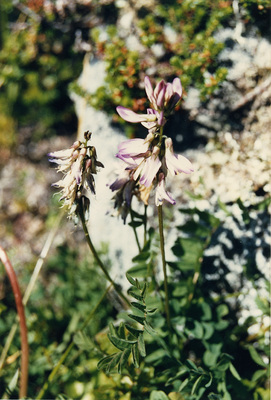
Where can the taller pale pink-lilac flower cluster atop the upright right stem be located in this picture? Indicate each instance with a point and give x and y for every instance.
(148, 161)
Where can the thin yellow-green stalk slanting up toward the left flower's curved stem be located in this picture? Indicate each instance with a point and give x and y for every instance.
(69, 348)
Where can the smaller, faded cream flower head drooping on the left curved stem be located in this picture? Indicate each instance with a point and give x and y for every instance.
(78, 164)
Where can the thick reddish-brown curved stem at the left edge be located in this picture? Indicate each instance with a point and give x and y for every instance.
(23, 329)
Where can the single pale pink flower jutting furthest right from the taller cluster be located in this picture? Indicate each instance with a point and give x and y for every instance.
(175, 163)
